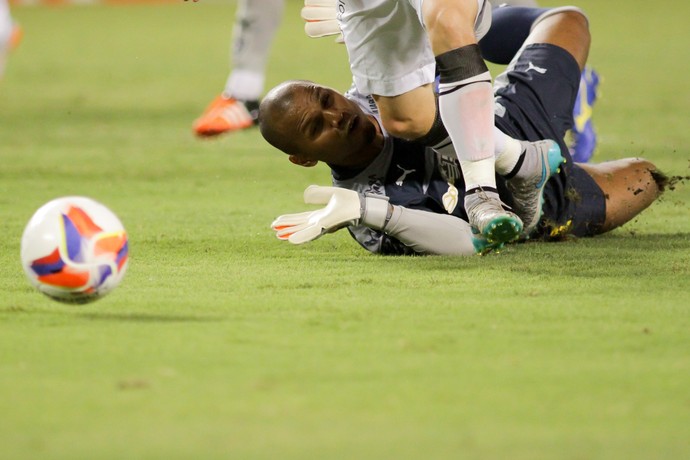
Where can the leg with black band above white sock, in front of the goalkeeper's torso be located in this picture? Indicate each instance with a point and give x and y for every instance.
(467, 111)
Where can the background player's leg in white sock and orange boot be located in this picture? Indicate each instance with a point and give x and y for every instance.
(256, 23)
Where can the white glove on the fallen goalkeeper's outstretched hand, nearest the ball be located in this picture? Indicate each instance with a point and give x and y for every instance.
(343, 208)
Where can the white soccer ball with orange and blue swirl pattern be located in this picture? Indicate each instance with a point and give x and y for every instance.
(74, 250)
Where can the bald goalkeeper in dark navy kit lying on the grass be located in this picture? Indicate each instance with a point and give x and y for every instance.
(397, 197)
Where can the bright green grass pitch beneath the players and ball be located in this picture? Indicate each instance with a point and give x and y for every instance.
(223, 342)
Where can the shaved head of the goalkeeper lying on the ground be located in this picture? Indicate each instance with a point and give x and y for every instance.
(313, 123)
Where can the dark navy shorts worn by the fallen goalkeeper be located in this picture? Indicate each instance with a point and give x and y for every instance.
(538, 95)
